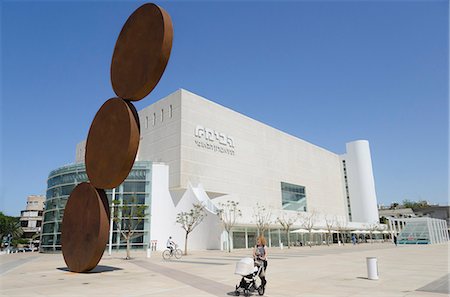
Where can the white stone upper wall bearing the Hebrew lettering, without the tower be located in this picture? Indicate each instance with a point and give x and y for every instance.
(252, 170)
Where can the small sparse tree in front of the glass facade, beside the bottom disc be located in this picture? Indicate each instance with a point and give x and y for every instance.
(128, 216)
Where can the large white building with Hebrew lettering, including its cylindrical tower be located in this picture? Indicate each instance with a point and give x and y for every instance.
(213, 154)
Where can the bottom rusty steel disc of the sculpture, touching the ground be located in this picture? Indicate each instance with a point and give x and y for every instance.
(85, 228)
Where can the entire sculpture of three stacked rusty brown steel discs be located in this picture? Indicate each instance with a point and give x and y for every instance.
(140, 57)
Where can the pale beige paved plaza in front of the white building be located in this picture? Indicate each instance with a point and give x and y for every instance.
(419, 270)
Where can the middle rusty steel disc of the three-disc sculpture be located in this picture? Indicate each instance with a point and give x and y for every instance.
(112, 144)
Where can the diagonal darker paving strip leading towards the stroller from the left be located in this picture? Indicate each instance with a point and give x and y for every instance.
(209, 286)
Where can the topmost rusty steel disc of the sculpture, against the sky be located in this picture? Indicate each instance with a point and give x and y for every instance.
(141, 53)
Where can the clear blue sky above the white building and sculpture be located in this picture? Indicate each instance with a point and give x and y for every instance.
(328, 72)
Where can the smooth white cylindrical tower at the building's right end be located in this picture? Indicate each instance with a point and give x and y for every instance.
(361, 184)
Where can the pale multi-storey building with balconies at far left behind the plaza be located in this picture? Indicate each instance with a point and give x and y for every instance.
(31, 218)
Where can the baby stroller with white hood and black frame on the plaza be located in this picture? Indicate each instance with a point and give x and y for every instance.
(249, 269)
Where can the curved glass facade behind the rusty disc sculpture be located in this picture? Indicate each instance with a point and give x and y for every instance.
(61, 182)
